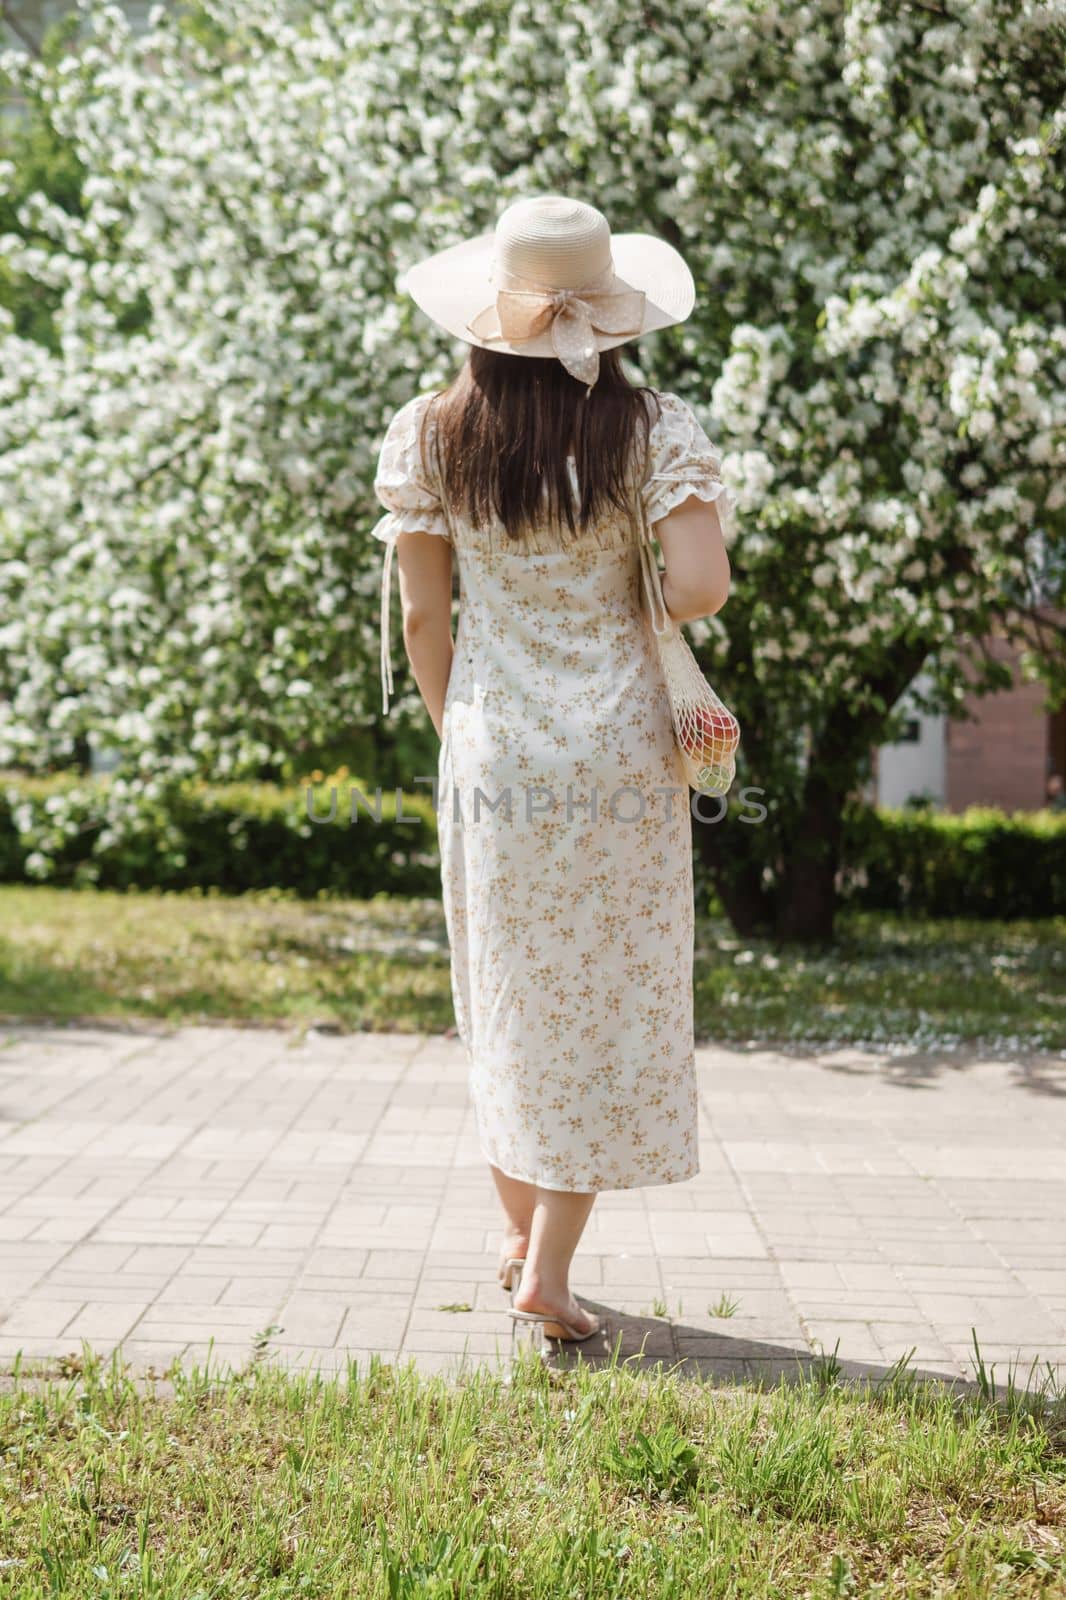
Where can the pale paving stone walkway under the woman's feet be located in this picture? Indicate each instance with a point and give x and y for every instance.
(166, 1190)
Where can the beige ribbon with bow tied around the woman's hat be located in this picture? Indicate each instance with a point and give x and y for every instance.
(574, 318)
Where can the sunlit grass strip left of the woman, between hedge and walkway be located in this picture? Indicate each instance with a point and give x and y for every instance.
(254, 959)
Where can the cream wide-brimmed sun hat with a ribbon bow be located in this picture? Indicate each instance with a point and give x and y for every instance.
(553, 281)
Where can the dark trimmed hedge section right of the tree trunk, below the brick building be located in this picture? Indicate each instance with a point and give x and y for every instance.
(976, 863)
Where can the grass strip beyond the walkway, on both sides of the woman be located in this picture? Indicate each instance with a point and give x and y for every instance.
(383, 964)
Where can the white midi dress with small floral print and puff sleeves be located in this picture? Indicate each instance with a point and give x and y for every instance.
(564, 825)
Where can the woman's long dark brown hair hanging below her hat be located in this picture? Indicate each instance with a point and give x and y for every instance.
(507, 425)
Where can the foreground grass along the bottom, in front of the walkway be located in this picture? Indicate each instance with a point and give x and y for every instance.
(604, 1484)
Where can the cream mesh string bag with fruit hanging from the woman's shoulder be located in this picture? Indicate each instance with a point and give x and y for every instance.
(707, 730)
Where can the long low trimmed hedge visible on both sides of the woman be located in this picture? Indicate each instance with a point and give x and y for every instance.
(250, 836)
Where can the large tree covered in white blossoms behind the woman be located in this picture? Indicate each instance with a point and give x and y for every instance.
(872, 201)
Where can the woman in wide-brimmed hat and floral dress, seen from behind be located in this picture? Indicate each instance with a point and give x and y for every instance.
(566, 839)
